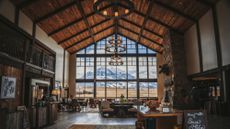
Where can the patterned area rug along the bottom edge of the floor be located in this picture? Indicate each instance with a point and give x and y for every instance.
(102, 127)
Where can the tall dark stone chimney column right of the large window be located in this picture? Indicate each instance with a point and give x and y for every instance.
(174, 55)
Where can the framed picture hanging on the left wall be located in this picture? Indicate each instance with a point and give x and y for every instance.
(8, 87)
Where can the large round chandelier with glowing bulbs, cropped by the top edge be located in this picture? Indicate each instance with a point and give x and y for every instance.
(113, 8)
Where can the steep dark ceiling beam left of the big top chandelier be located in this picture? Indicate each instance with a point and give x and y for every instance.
(85, 19)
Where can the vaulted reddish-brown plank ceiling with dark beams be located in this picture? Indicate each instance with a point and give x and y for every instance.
(75, 25)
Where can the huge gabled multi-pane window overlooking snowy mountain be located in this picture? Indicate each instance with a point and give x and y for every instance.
(132, 79)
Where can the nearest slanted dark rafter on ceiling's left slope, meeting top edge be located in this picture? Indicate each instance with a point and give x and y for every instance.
(63, 8)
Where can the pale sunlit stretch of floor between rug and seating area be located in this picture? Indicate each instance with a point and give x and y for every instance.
(66, 119)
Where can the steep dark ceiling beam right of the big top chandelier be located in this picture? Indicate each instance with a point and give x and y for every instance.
(149, 10)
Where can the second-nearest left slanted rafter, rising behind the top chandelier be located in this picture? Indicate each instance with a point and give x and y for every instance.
(73, 22)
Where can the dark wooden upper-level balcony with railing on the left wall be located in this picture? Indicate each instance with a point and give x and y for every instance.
(15, 45)
